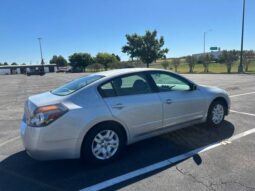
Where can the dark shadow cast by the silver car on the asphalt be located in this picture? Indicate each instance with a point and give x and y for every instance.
(20, 172)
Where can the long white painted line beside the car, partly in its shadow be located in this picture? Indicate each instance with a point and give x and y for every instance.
(167, 162)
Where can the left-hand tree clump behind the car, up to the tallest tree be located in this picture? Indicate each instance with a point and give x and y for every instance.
(140, 48)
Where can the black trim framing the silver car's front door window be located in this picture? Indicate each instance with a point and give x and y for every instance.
(170, 74)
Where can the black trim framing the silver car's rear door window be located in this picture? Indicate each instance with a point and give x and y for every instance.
(144, 73)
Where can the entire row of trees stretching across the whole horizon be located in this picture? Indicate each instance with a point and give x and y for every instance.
(146, 49)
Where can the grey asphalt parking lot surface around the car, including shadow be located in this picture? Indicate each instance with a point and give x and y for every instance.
(195, 158)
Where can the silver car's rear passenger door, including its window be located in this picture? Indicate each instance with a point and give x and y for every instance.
(132, 101)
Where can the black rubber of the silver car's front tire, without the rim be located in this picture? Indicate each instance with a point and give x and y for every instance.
(210, 121)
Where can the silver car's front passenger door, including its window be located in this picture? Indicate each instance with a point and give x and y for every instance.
(181, 103)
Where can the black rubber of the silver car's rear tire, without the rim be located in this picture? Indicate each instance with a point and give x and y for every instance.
(86, 151)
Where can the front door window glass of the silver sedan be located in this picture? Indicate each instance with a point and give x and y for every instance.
(166, 82)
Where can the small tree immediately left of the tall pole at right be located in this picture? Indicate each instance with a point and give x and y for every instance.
(228, 58)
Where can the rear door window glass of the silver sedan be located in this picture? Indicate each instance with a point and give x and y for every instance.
(126, 85)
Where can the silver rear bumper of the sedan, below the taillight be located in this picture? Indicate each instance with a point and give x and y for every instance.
(38, 145)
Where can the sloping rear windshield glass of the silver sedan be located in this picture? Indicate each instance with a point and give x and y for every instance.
(75, 85)
